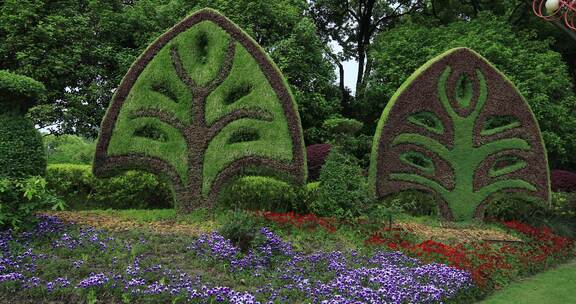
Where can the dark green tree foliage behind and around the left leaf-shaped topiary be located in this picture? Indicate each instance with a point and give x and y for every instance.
(81, 49)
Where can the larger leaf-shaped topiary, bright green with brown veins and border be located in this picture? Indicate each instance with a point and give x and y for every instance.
(201, 105)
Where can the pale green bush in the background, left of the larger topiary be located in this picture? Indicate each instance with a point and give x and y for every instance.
(69, 149)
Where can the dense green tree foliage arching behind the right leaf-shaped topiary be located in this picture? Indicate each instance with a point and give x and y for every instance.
(539, 73)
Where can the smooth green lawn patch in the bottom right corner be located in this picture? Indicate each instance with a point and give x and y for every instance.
(555, 286)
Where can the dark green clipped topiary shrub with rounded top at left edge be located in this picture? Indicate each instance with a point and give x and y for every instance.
(21, 150)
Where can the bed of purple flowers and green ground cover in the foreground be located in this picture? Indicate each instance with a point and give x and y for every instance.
(61, 262)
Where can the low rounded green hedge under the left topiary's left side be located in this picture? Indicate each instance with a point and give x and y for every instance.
(132, 190)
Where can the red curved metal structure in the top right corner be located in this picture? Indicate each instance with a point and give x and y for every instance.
(556, 10)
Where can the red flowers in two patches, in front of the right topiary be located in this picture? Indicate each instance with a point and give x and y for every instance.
(491, 264)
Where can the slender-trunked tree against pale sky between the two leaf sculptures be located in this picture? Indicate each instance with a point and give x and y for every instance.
(353, 24)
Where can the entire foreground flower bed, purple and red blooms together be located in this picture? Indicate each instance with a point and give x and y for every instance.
(298, 259)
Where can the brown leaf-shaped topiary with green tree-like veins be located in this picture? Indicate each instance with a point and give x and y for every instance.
(458, 128)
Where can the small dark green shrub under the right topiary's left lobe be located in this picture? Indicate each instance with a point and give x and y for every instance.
(416, 203)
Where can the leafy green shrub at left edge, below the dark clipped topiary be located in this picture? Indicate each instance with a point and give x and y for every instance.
(20, 198)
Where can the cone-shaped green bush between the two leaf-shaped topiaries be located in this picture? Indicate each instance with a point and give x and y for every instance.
(343, 189)
